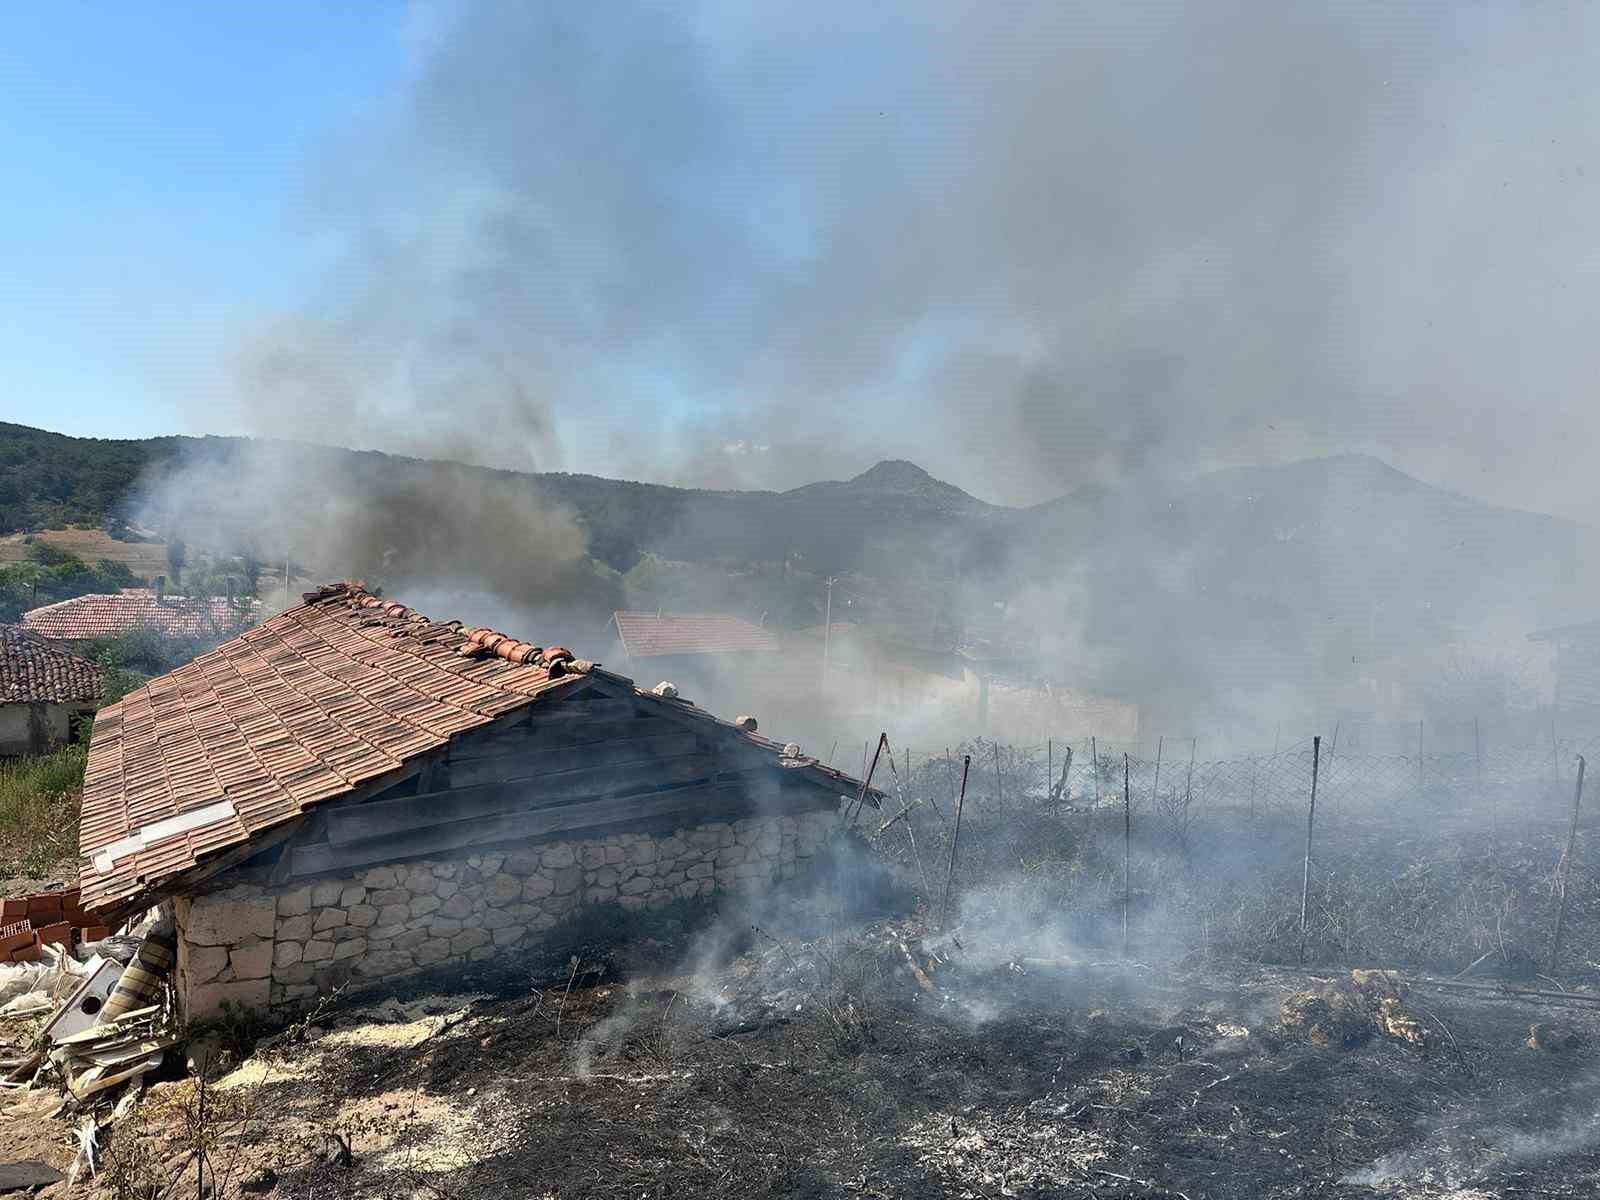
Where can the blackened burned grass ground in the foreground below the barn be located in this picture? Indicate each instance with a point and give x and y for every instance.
(826, 1070)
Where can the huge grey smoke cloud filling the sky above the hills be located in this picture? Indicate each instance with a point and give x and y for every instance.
(1028, 246)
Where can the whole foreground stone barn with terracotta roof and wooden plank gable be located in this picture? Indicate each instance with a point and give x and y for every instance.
(353, 793)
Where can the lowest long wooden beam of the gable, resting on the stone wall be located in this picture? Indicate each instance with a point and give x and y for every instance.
(713, 801)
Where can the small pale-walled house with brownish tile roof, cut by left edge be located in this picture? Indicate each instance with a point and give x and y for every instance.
(44, 692)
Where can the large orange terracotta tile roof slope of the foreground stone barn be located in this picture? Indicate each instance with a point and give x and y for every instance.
(311, 705)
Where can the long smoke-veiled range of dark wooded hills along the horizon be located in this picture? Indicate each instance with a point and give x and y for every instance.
(1249, 586)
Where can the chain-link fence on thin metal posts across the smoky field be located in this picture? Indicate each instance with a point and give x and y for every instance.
(1436, 857)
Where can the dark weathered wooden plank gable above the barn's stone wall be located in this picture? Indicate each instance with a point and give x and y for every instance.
(561, 769)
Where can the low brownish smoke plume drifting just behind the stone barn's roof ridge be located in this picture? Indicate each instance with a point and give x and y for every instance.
(447, 540)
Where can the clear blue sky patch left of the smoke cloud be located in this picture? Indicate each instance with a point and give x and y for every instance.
(153, 161)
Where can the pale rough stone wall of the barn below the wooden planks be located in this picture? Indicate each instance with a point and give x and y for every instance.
(278, 948)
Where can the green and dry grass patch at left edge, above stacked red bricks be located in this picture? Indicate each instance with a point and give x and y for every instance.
(39, 814)
